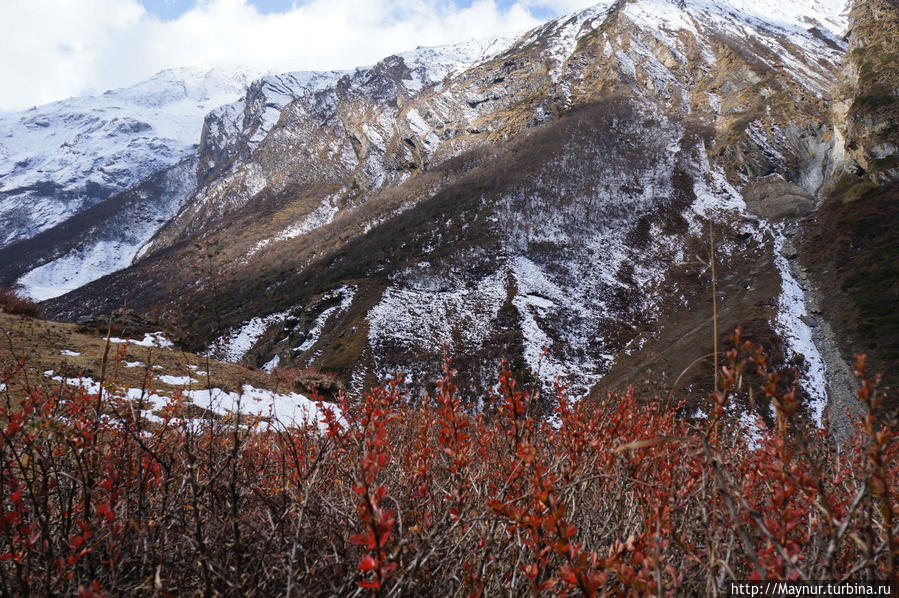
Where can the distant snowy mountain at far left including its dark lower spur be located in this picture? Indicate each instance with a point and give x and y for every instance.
(57, 161)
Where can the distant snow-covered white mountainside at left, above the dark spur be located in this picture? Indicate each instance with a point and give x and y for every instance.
(60, 158)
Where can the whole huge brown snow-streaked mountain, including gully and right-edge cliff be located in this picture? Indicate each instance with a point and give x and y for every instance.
(551, 199)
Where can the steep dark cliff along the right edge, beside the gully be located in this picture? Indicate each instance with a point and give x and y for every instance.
(849, 245)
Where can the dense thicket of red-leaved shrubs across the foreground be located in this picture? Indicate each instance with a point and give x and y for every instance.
(419, 497)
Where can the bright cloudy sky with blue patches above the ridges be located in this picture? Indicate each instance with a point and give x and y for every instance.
(53, 49)
